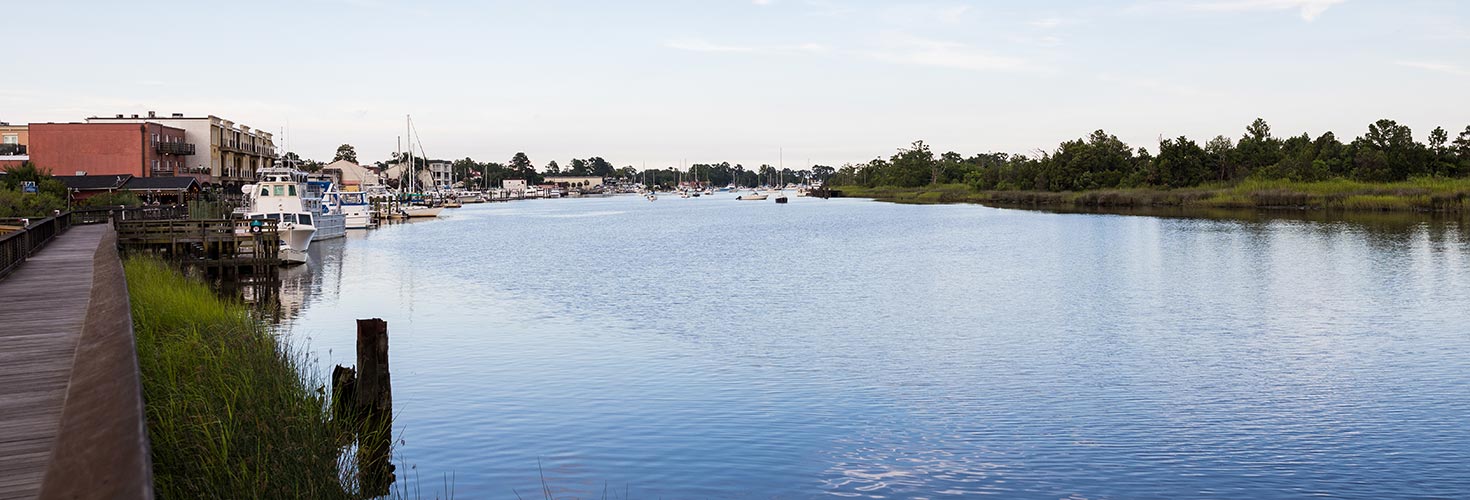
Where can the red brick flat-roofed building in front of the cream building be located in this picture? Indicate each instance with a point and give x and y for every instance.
(111, 149)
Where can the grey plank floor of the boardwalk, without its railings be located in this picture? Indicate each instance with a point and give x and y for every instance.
(43, 308)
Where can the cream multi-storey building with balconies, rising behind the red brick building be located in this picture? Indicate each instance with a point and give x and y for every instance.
(229, 154)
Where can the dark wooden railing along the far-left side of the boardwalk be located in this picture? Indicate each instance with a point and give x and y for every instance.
(21, 239)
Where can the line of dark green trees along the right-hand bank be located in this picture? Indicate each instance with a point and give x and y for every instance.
(1387, 152)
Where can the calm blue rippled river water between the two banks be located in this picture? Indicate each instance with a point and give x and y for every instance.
(715, 349)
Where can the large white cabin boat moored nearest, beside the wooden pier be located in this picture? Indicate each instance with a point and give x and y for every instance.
(279, 198)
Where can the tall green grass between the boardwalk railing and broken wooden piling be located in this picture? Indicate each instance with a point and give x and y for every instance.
(230, 412)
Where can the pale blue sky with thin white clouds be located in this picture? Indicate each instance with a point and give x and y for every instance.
(745, 82)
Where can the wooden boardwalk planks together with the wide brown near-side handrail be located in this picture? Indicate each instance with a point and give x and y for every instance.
(71, 410)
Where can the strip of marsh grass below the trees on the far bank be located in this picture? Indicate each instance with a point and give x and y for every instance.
(1422, 195)
